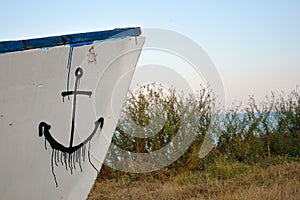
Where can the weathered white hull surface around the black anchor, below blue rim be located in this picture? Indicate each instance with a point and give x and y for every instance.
(31, 83)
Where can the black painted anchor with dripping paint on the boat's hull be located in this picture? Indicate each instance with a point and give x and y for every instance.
(72, 154)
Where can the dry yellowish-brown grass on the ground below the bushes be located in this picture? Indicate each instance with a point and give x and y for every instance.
(281, 181)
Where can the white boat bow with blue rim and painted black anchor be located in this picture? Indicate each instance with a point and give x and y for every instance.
(59, 105)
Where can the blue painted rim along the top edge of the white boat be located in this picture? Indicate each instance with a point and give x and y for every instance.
(78, 39)
